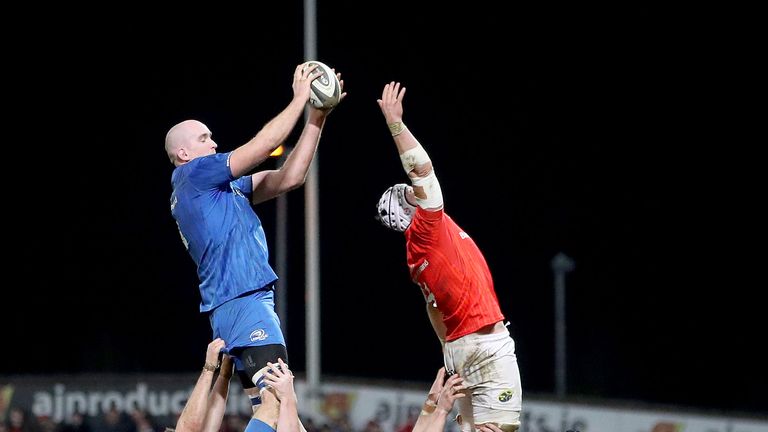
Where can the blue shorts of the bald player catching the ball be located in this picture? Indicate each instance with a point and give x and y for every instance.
(246, 321)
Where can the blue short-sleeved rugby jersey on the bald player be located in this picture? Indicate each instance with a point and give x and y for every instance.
(221, 231)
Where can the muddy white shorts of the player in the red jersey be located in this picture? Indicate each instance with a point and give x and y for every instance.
(488, 365)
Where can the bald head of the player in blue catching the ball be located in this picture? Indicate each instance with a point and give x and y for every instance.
(188, 140)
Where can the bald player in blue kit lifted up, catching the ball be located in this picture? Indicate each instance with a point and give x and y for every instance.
(211, 202)
